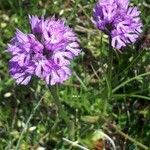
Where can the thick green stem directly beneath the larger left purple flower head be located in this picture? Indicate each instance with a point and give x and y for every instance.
(62, 114)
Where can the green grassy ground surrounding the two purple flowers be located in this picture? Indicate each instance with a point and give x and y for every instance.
(125, 117)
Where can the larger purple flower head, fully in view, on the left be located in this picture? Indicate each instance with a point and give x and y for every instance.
(45, 53)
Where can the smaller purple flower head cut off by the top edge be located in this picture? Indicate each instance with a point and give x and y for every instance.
(117, 19)
